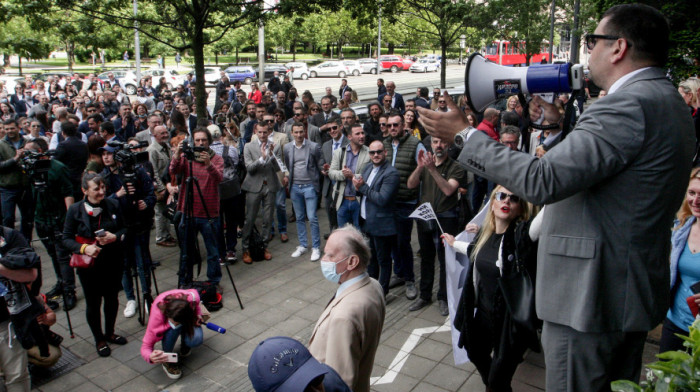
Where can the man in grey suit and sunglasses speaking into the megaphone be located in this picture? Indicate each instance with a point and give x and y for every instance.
(612, 187)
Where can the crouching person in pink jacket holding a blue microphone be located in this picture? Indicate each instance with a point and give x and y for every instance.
(174, 314)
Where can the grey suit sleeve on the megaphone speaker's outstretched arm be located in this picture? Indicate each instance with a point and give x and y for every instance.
(588, 155)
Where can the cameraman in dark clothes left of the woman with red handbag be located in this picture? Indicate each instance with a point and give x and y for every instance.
(53, 192)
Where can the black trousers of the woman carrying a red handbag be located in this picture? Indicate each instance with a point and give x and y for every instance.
(95, 290)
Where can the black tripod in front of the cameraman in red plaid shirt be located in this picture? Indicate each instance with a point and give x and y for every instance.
(191, 244)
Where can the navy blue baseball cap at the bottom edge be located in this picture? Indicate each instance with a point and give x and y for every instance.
(282, 364)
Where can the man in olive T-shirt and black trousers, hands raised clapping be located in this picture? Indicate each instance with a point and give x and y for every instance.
(438, 177)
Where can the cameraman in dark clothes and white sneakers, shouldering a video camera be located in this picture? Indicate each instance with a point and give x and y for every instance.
(130, 184)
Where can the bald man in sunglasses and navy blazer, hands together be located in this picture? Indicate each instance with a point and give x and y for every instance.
(377, 211)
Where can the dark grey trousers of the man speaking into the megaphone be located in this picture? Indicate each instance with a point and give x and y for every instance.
(588, 361)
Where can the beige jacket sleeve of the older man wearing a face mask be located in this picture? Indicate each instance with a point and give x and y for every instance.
(345, 349)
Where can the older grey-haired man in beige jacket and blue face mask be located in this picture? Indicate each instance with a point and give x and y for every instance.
(347, 334)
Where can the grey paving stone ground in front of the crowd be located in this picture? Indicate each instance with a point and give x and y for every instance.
(283, 296)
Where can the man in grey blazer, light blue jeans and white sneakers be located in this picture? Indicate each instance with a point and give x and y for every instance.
(304, 162)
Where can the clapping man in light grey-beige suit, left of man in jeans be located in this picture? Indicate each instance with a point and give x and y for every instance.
(261, 183)
